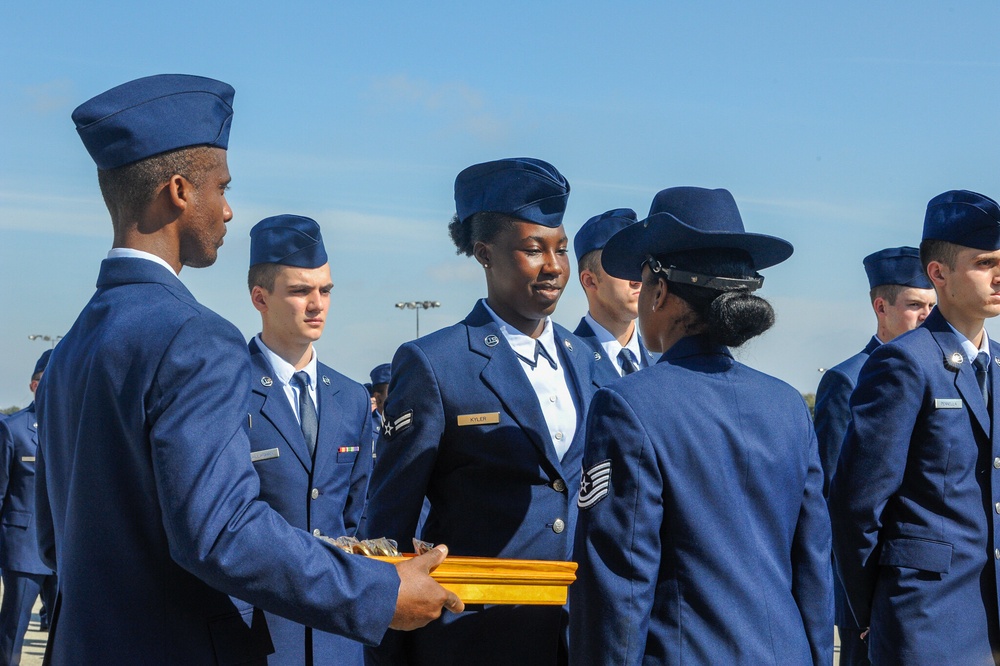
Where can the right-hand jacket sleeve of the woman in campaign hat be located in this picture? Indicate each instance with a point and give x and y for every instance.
(812, 575)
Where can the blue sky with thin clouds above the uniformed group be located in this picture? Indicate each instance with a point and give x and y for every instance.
(831, 125)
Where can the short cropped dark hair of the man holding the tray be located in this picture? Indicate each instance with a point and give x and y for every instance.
(129, 189)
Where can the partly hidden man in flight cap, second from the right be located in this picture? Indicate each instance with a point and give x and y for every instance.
(902, 297)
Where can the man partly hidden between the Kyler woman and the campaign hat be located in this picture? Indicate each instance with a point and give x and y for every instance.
(608, 328)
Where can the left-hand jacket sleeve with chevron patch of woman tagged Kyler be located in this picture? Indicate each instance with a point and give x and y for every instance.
(407, 447)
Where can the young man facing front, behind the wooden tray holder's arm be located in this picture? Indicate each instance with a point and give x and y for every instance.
(309, 426)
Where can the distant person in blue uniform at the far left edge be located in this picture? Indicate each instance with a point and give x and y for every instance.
(24, 574)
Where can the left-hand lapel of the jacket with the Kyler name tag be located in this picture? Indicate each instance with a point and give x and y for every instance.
(504, 376)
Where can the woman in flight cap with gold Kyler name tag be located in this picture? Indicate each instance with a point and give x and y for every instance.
(485, 419)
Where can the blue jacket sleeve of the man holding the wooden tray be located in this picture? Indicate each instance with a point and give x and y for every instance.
(207, 490)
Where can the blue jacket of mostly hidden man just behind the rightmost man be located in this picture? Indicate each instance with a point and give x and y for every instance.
(833, 414)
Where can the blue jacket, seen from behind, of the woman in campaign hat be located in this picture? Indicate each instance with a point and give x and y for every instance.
(703, 536)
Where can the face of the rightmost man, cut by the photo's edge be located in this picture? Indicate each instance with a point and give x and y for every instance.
(972, 289)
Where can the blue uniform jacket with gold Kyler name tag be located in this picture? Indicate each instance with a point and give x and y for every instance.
(495, 485)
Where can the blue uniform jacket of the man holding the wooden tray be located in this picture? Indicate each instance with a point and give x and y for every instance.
(147, 499)
